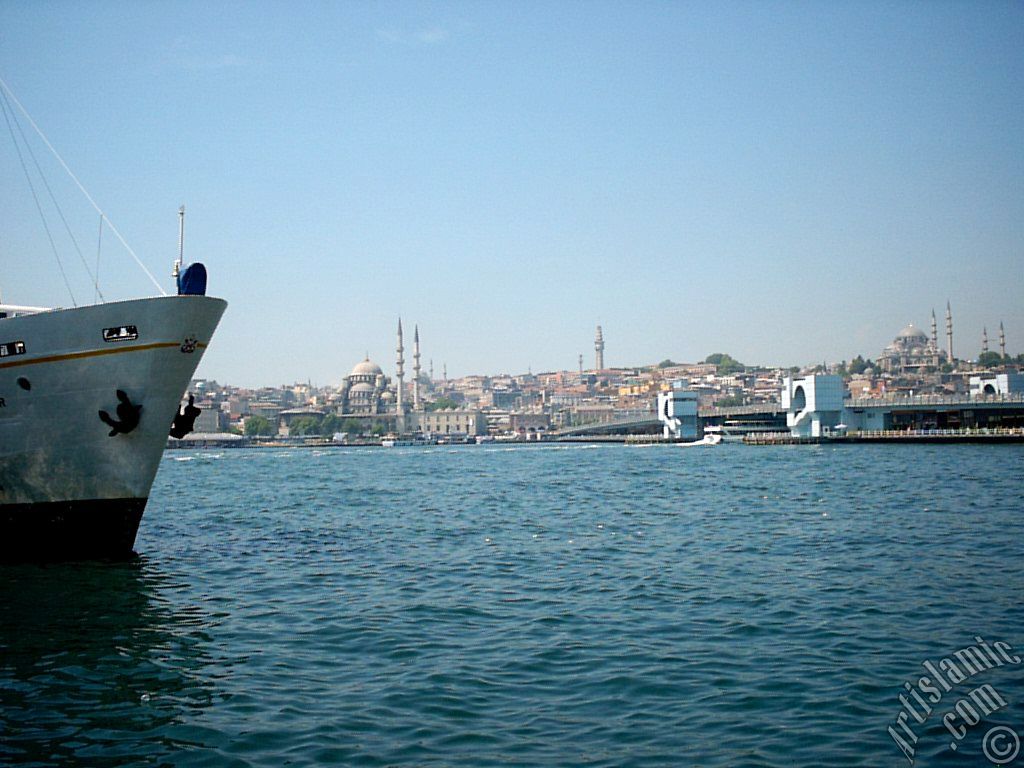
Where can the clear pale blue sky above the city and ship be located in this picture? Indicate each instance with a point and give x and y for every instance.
(788, 183)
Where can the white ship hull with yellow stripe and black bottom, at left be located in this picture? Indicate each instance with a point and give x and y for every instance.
(68, 487)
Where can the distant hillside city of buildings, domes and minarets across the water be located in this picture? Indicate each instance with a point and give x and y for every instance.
(370, 402)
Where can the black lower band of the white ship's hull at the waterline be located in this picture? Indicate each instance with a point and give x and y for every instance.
(96, 529)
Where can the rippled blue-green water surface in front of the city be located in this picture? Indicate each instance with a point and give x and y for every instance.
(531, 606)
